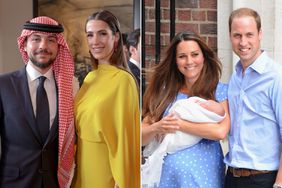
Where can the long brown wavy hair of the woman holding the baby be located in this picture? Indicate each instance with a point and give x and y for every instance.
(166, 80)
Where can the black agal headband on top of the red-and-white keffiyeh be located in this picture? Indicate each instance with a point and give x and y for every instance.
(43, 27)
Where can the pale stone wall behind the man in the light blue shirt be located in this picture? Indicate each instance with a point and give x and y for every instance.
(270, 12)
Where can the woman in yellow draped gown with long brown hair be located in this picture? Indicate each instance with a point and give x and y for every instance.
(107, 112)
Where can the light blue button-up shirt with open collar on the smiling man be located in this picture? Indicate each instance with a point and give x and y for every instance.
(255, 104)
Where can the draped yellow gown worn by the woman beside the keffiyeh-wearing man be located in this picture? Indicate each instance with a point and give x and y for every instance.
(108, 129)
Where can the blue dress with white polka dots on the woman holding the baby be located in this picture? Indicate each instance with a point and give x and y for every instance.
(199, 166)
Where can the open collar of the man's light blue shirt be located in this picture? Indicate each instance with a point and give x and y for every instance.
(259, 65)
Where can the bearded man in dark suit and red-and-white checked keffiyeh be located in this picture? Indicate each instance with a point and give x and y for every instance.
(27, 160)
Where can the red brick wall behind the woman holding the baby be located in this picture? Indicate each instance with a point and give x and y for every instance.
(197, 15)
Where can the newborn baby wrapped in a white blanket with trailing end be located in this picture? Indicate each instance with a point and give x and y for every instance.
(194, 109)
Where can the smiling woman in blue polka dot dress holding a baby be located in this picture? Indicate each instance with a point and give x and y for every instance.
(190, 68)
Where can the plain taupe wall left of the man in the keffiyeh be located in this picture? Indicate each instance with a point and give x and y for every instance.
(13, 14)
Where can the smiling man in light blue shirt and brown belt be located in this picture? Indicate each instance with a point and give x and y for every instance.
(255, 98)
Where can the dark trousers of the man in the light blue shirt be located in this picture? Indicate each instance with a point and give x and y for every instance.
(252, 181)
